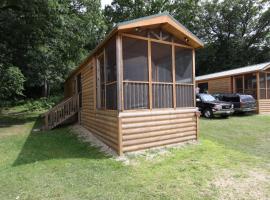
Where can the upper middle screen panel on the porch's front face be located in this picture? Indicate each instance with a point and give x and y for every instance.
(161, 62)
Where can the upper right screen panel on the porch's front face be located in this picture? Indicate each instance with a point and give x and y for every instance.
(183, 65)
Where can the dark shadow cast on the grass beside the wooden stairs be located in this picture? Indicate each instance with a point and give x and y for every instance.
(59, 143)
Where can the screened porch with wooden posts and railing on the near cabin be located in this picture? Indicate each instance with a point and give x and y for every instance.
(145, 69)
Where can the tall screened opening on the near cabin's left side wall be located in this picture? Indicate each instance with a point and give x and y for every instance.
(106, 77)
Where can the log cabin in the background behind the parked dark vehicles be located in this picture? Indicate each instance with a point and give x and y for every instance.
(253, 80)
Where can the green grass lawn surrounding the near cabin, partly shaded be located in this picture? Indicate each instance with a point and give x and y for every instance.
(231, 161)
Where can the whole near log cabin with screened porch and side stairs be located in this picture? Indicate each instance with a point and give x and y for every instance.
(136, 90)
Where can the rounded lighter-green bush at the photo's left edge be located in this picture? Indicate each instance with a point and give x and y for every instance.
(11, 82)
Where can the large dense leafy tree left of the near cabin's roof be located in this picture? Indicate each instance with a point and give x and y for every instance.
(46, 39)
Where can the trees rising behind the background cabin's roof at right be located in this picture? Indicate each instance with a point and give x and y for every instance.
(236, 33)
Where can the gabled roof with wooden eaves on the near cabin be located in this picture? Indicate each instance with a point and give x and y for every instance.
(165, 19)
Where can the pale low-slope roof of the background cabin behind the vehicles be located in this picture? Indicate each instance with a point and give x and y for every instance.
(242, 70)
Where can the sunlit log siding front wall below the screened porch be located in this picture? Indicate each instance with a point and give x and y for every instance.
(147, 129)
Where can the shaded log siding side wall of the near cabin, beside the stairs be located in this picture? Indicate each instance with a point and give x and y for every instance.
(102, 123)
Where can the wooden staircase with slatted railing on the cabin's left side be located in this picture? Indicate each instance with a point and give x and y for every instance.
(61, 112)
